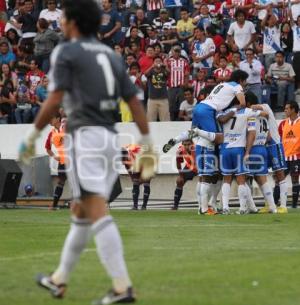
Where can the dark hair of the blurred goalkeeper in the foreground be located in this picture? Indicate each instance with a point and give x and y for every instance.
(85, 13)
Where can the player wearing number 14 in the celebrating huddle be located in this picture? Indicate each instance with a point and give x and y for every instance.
(258, 160)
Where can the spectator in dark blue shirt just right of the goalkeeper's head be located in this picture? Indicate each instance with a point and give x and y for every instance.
(110, 23)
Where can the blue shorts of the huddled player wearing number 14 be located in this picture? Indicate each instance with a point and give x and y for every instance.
(258, 161)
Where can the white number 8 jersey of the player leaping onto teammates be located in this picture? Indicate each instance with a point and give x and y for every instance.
(222, 95)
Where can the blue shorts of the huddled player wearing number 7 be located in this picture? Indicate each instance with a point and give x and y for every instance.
(232, 161)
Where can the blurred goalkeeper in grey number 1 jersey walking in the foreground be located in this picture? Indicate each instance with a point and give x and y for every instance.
(89, 78)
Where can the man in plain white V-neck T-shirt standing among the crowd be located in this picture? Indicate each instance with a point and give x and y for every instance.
(241, 33)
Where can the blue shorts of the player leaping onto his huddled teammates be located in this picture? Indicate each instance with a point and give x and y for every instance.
(204, 117)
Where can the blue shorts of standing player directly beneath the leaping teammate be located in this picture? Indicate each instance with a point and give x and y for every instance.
(207, 160)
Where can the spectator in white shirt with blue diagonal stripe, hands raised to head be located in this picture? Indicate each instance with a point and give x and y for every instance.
(271, 42)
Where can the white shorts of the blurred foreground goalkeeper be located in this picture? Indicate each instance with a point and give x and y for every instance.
(92, 161)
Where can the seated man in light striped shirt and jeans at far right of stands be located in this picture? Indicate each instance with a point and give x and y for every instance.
(282, 75)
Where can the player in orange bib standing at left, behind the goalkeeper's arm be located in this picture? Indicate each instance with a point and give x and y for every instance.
(56, 138)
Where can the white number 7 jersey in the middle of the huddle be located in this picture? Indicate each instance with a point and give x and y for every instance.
(235, 130)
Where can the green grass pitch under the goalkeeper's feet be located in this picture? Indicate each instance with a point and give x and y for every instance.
(173, 257)
